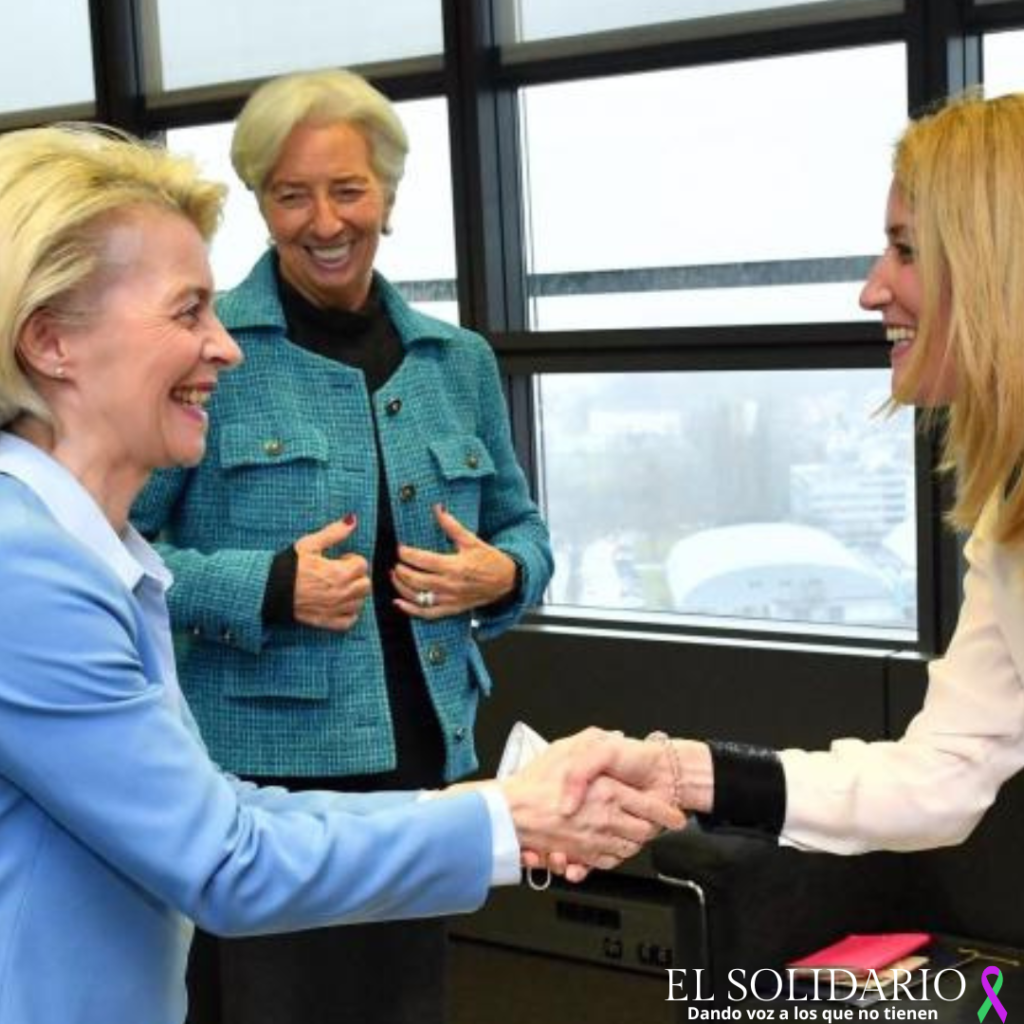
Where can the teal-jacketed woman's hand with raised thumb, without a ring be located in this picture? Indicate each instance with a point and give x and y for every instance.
(330, 592)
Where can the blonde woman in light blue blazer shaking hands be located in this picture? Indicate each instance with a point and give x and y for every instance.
(116, 828)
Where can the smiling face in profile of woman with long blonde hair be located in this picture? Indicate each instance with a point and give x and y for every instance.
(894, 289)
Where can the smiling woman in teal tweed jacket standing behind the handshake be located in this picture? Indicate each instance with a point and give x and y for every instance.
(360, 523)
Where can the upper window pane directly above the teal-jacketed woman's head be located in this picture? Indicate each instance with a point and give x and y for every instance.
(202, 44)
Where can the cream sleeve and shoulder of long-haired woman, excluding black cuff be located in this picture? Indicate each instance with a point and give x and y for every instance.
(932, 787)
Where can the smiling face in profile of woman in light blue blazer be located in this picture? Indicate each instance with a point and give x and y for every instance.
(136, 367)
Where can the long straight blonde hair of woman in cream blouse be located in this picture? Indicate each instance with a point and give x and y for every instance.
(961, 170)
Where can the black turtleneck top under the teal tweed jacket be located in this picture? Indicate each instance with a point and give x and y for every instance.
(367, 342)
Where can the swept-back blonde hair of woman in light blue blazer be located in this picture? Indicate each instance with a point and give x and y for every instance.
(60, 190)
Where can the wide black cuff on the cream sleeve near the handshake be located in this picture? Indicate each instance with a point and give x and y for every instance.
(750, 788)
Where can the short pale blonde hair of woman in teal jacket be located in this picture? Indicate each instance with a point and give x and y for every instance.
(320, 98)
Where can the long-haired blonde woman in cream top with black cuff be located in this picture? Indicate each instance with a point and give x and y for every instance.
(950, 287)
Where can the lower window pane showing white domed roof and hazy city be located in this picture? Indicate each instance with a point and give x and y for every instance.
(812, 521)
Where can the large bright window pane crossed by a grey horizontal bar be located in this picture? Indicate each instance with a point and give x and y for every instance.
(717, 195)
